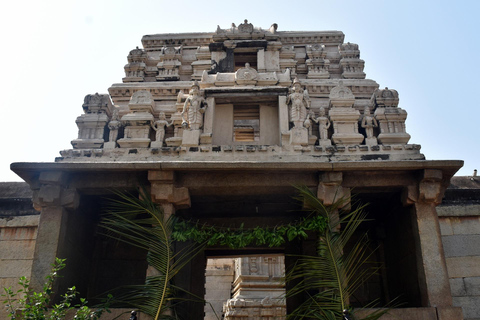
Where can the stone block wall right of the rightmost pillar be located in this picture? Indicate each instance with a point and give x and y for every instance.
(460, 226)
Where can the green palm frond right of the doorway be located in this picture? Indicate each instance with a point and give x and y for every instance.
(329, 279)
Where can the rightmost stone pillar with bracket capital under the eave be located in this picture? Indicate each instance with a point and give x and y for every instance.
(431, 266)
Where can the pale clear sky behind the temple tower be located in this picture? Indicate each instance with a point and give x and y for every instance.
(55, 52)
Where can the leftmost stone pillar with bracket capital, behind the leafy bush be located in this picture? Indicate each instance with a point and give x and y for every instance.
(53, 198)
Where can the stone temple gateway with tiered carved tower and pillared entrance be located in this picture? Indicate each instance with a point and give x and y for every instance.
(220, 127)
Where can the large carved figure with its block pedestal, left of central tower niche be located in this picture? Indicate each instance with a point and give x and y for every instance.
(192, 116)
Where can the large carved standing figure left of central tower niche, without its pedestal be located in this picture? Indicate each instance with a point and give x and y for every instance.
(193, 109)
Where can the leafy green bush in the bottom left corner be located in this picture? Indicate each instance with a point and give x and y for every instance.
(25, 304)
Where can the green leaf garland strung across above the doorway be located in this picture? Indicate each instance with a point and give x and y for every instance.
(242, 237)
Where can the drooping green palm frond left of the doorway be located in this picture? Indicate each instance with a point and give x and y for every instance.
(140, 222)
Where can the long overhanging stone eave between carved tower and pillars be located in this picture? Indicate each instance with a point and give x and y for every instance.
(27, 170)
